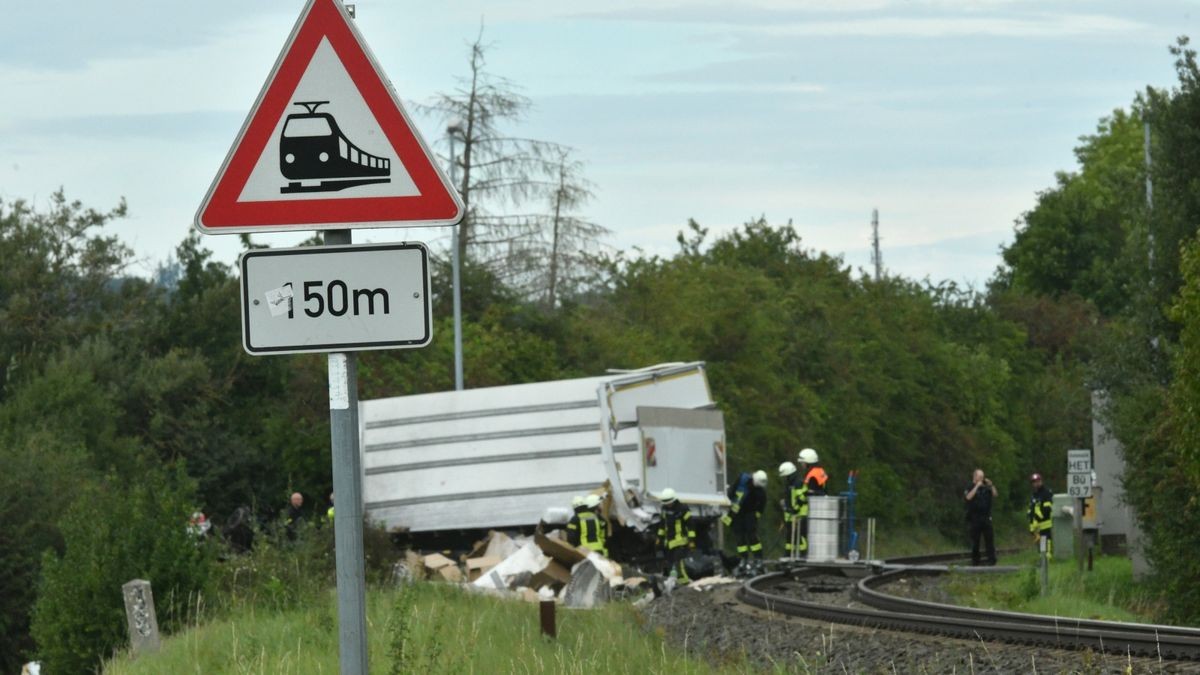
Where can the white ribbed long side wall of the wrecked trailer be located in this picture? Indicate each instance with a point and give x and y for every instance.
(499, 457)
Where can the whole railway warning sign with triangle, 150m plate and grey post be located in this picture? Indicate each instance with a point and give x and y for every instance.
(329, 147)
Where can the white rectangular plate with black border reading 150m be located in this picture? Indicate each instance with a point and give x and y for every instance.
(335, 298)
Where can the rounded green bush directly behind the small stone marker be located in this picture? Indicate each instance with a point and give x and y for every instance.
(116, 533)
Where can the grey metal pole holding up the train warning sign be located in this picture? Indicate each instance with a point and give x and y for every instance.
(344, 433)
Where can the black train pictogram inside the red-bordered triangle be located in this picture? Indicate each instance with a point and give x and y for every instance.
(313, 148)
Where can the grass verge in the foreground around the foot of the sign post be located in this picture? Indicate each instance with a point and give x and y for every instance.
(419, 629)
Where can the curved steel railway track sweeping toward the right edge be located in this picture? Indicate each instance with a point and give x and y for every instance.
(895, 613)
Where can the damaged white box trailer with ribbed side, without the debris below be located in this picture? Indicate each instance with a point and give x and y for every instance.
(500, 457)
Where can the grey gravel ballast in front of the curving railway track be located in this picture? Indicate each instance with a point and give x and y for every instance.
(716, 626)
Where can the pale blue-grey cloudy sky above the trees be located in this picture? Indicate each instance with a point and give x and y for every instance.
(949, 116)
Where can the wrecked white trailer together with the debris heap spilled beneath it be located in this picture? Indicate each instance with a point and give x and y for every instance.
(511, 459)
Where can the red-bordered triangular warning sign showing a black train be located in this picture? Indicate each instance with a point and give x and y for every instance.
(328, 145)
